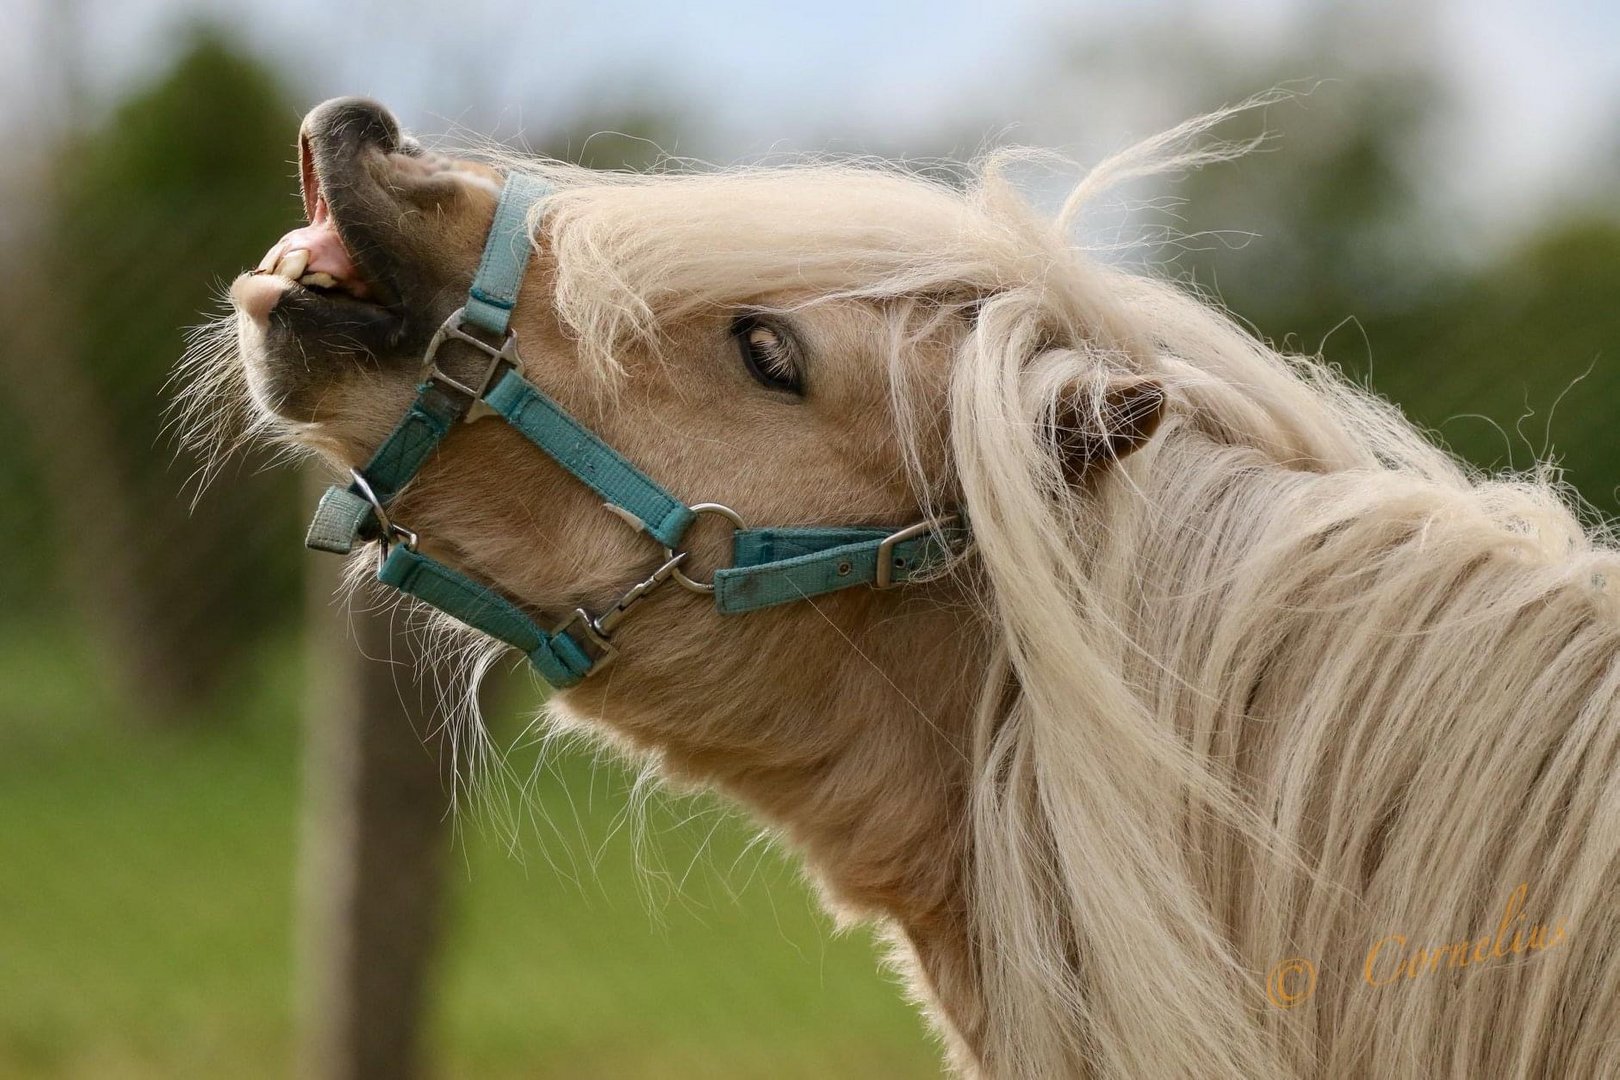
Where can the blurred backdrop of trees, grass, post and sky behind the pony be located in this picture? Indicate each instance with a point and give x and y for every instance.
(224, 840)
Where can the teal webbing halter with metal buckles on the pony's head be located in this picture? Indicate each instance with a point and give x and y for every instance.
(770, 566)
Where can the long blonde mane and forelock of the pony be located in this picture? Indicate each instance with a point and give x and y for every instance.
(1284, 682)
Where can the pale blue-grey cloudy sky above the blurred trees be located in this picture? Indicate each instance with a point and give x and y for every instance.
(1540, 82)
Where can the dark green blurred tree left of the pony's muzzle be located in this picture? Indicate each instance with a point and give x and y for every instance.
(137, 218)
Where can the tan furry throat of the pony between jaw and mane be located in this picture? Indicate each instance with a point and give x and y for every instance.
(846, 725)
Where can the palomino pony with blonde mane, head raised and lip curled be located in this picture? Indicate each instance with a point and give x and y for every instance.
(1251, 734)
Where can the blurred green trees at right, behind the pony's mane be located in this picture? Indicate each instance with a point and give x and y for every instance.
(1511, 359)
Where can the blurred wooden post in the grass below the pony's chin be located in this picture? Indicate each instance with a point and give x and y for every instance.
(373, 844)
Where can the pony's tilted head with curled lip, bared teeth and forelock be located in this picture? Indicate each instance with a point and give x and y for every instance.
(782, 342)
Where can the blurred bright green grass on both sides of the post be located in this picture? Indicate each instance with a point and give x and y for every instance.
(147, 912)
